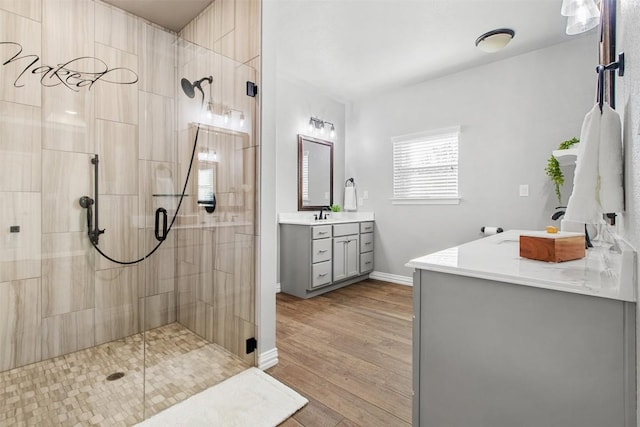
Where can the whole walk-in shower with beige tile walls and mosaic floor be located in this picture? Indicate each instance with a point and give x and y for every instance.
(128, 206)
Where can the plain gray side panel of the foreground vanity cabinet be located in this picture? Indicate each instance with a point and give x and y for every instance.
(494, 354)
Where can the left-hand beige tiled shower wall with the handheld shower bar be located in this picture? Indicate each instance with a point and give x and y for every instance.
(56, 294)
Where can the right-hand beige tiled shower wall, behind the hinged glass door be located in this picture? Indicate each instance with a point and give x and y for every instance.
(216, 268)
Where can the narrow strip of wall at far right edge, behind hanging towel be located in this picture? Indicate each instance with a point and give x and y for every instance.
(628, 104)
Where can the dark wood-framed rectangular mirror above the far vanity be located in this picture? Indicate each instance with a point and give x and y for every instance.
(315, 173)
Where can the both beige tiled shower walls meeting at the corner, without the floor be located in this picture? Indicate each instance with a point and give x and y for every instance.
(57, 295)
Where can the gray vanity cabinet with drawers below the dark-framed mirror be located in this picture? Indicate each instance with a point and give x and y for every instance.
(320, 258)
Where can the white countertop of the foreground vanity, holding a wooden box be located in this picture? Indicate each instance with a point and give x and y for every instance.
(602, 273)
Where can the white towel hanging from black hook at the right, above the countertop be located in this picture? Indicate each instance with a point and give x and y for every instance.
(597, 182)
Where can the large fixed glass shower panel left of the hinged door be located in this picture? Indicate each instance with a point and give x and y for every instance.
(69, 318)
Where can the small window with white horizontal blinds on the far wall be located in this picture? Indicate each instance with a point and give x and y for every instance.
(425, 167)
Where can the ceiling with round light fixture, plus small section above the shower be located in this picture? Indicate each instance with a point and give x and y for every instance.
(352, 48)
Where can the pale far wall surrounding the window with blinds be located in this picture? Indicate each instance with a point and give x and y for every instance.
(512, 114)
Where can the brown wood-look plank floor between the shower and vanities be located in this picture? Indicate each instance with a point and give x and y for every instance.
(349, 353)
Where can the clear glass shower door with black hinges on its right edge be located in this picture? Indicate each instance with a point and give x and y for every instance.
(199, 288)
